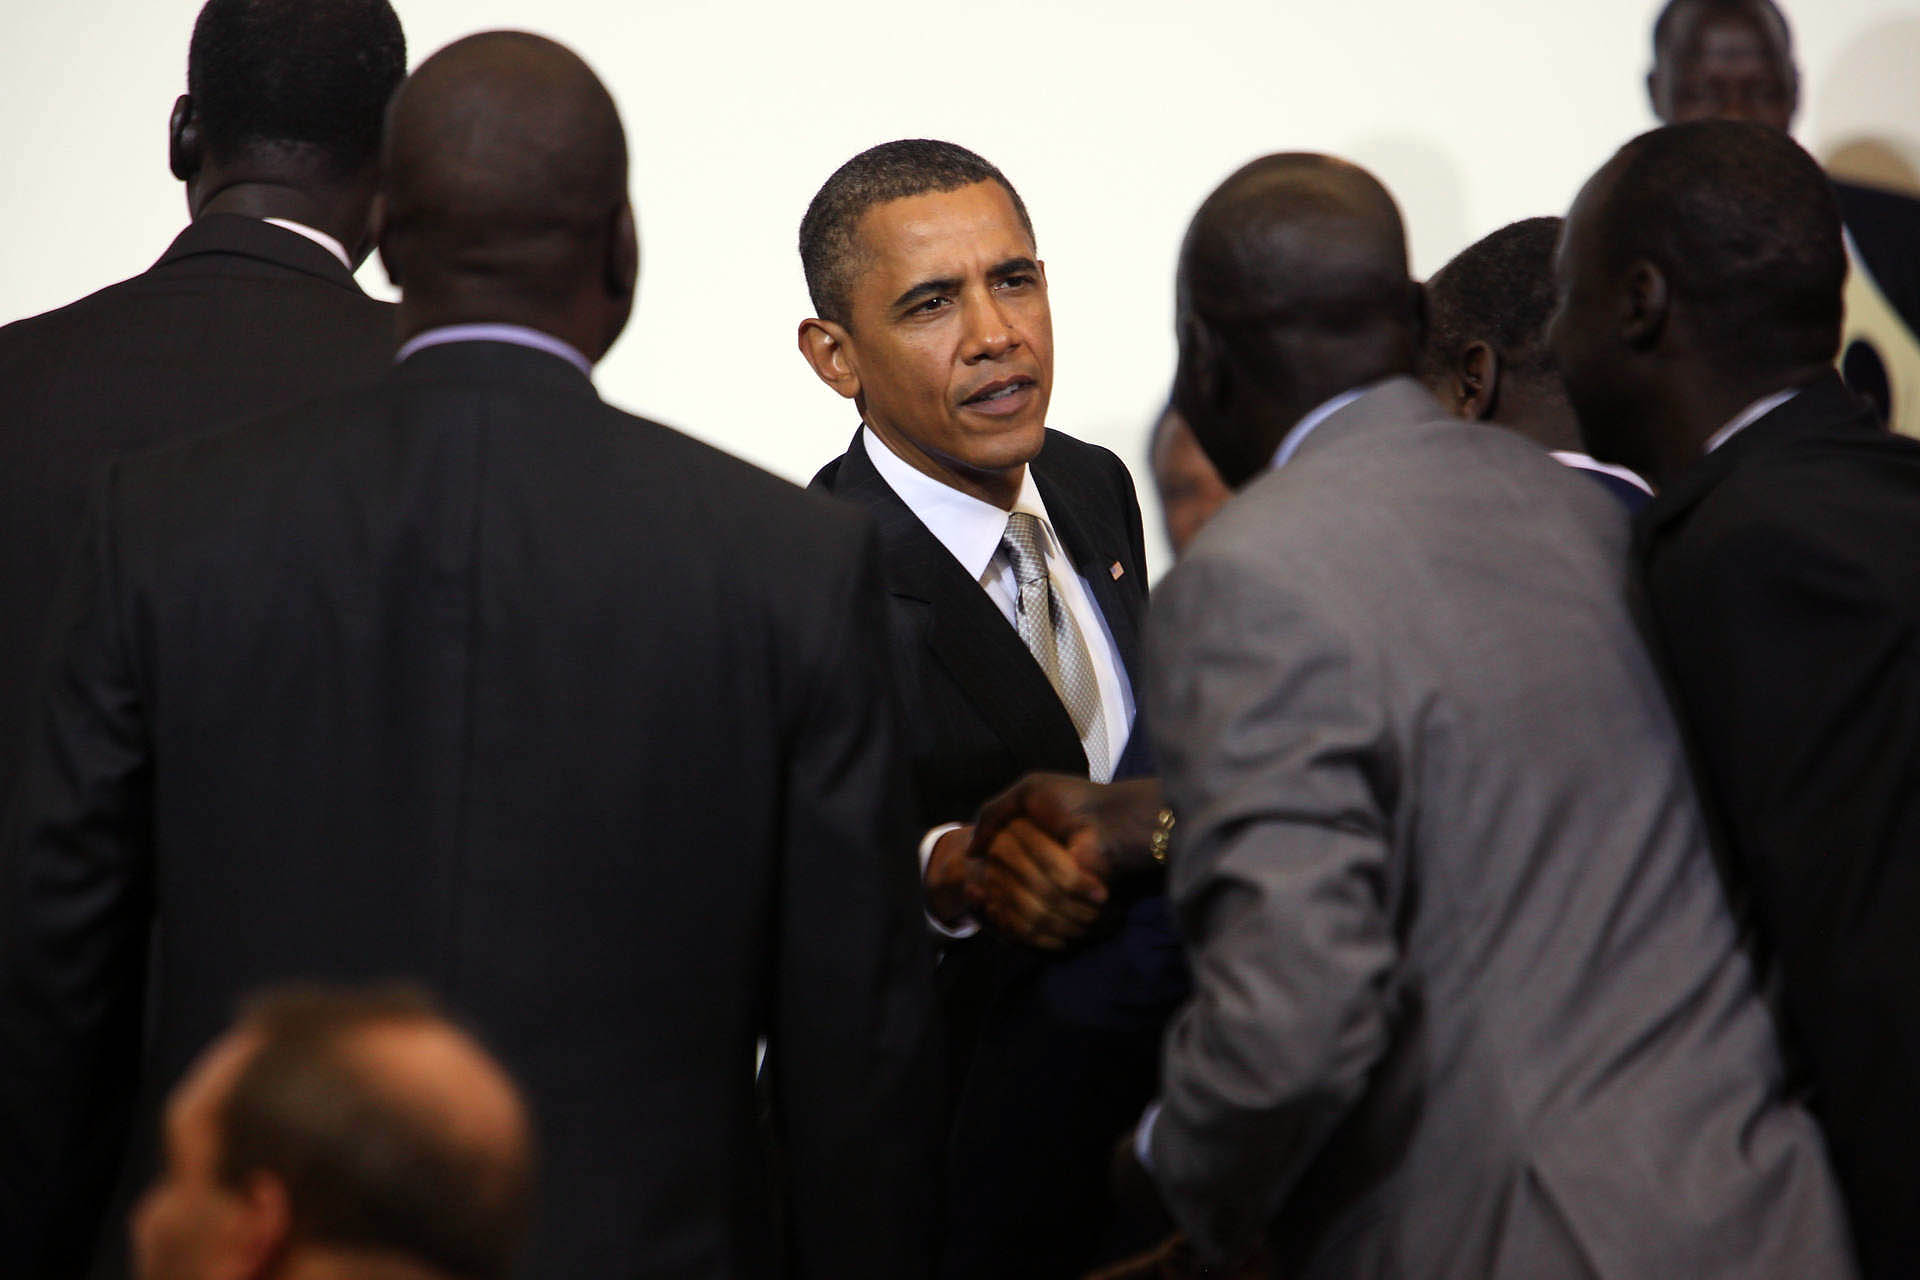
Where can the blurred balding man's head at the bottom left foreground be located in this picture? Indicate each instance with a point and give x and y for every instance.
(341, 1135)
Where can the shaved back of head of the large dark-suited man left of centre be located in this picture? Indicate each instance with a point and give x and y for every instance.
(506, 193)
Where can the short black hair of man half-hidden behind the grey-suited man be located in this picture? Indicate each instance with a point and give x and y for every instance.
(1499, 291)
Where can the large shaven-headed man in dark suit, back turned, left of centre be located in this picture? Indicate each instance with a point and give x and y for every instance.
(475, 680)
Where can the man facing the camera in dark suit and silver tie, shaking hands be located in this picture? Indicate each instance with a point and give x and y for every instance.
(1015, 584)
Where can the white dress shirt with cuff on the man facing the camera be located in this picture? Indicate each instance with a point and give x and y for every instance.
(971, 531)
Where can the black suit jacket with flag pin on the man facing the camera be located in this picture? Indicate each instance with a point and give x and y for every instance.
(1049, 1058)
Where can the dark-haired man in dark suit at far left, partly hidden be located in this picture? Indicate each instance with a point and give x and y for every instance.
(251, 310)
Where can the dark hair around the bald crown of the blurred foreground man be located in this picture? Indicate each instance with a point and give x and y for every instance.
(360, 1168)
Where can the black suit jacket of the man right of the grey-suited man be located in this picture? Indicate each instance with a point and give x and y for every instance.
(1785, 586)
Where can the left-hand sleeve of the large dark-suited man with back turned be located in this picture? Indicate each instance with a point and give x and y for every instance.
(76, 909)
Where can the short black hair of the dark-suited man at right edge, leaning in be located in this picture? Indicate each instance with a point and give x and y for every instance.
(1746, 229)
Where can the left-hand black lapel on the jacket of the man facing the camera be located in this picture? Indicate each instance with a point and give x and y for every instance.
(965, 630)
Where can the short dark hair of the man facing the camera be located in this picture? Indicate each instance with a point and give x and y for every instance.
(875, 178)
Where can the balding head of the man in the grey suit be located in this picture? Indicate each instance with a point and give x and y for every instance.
(1293, 289)
